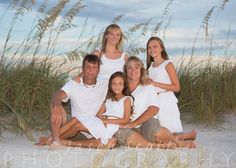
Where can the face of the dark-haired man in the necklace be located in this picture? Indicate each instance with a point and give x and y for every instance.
(90, 70)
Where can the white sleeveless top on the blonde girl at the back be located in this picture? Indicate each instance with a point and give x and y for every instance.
(110, 66)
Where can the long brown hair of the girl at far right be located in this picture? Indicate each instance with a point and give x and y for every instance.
(164, 54)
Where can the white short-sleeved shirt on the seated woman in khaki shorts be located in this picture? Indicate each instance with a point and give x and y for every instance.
(144, 96)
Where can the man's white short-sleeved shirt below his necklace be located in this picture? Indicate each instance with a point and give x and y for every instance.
(85, 101)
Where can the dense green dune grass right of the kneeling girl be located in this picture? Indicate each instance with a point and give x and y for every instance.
(209, 90)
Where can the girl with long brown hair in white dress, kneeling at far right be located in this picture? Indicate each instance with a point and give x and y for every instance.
(162, 74)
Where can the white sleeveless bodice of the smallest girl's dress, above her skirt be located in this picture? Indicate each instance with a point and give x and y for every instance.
(115, 108)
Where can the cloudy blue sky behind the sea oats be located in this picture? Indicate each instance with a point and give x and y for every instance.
(183, 22)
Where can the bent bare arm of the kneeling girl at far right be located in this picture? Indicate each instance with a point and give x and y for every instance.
(174, 86)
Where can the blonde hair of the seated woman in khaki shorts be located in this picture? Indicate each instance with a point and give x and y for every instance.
(135, 59)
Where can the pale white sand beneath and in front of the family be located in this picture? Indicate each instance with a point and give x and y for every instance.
(216, 149)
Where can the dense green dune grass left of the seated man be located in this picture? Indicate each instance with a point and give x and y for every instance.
(25, 92)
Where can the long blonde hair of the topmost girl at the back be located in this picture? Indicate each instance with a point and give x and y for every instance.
(104, 39)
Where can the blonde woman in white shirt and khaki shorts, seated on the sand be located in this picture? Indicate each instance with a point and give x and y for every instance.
(145, 108)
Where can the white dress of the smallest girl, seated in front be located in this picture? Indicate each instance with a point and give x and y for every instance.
(114, 109)
